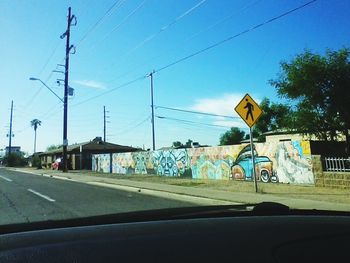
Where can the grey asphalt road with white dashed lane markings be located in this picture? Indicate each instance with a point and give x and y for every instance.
(29, 198)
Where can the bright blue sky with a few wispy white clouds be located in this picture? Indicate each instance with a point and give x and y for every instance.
(139, 36)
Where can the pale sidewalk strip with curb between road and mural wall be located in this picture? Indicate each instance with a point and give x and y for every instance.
(201, 192)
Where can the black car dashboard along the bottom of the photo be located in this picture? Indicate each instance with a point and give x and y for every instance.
(248, 237)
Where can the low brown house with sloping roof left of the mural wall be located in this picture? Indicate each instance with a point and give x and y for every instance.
(80, 154)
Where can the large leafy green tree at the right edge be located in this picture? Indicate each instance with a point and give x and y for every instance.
(319, 86)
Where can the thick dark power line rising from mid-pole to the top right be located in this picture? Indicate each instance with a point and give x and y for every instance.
(235, 36)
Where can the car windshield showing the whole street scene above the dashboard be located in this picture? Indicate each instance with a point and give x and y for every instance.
(118, 106)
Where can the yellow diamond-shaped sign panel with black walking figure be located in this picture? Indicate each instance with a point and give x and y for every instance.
(248, 110)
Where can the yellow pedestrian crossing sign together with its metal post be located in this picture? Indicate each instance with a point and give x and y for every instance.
(250, 112)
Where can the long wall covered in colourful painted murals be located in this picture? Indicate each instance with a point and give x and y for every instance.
(285, 162)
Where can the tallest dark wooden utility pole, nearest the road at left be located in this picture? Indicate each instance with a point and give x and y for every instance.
(65, 100)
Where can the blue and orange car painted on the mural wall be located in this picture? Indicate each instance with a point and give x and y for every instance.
(242, 168)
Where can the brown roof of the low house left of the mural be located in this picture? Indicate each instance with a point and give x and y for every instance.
(97, 145)
